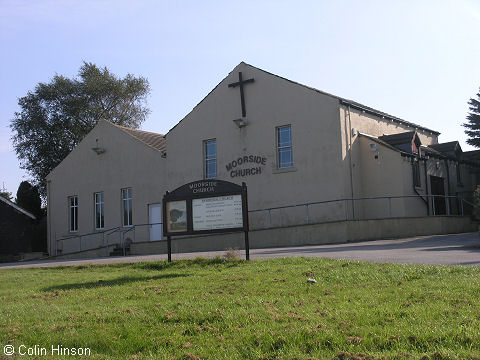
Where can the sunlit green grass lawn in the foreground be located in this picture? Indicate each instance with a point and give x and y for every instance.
(219, 309)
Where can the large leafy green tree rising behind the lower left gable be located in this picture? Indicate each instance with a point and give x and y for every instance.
(55, 117)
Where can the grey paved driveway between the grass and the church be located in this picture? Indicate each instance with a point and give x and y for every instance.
(457, 249)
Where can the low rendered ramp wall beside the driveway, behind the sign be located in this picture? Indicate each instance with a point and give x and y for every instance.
(316, 234)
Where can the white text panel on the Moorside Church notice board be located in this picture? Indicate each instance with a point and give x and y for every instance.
(221, 212)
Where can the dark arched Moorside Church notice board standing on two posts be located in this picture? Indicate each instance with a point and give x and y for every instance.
(206, 207)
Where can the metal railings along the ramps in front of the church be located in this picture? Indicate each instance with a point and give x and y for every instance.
(281, 216)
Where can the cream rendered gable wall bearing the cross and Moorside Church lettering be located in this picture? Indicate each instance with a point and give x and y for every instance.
(318, 173)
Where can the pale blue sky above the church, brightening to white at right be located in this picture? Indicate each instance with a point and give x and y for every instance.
(418, 60)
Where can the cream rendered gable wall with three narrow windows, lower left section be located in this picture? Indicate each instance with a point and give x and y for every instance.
(127, 162)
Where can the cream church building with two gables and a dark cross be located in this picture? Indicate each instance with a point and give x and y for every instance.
(315, 165)
